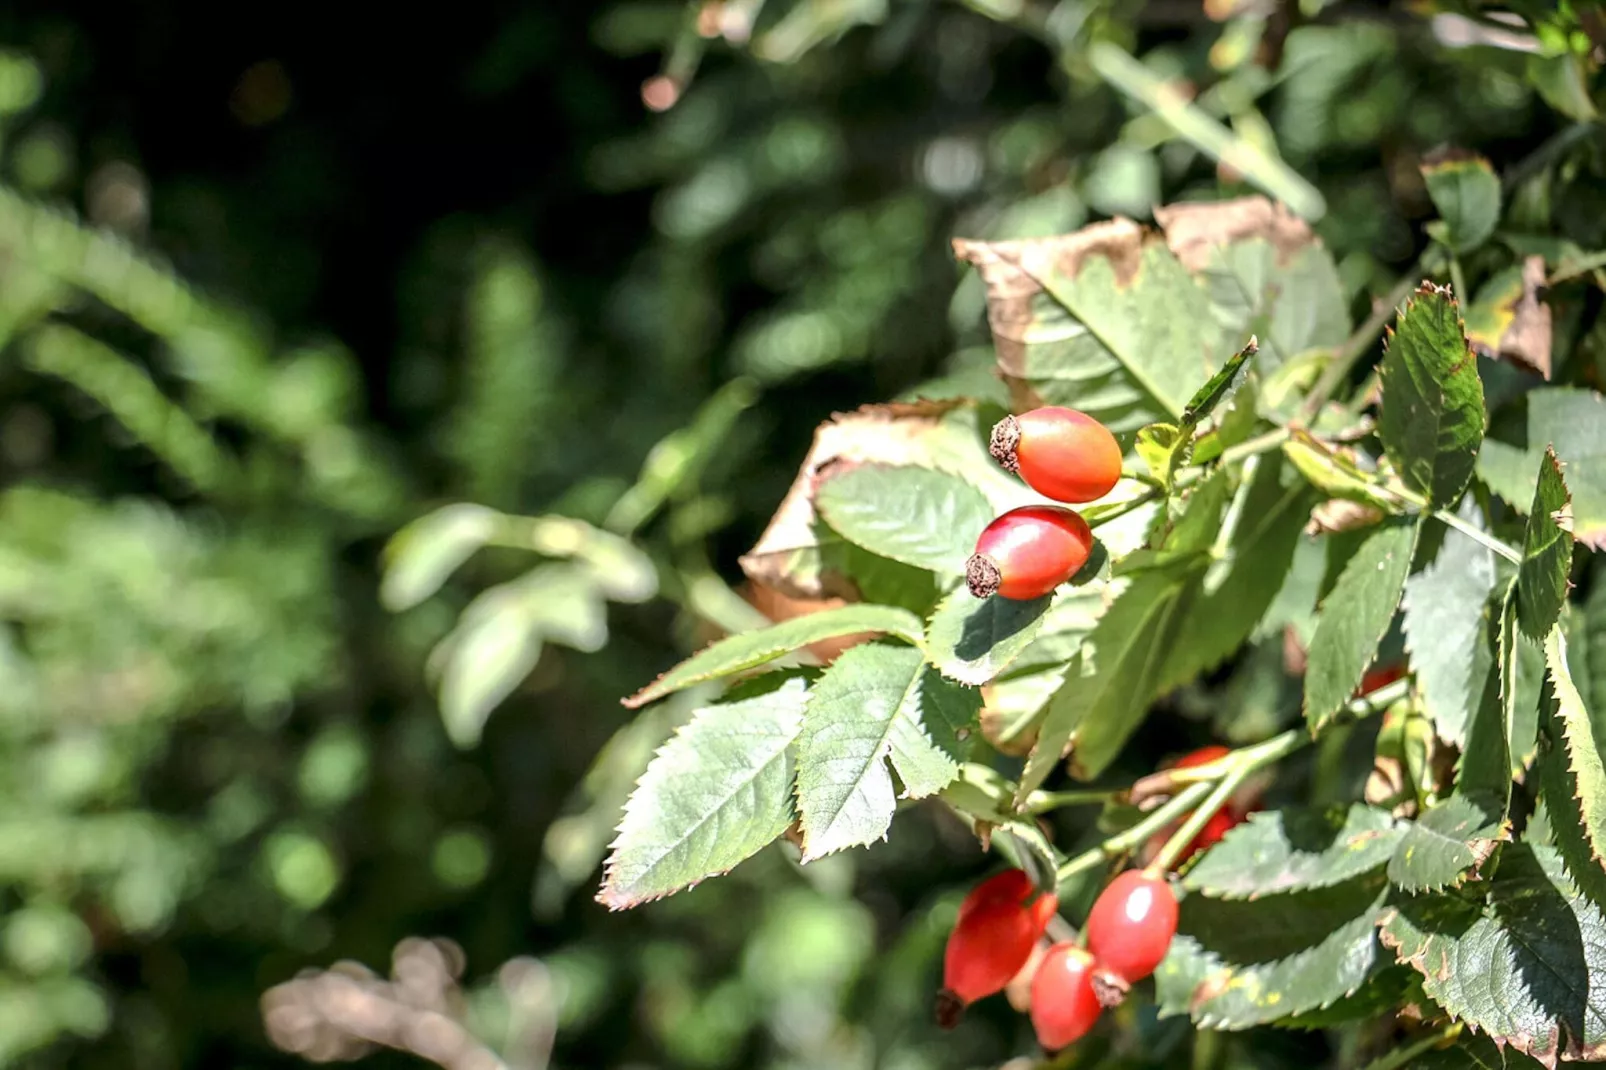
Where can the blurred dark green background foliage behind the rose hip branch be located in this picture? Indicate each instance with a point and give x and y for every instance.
(271, 295)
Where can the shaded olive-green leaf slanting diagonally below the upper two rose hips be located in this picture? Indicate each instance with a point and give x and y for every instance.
(1109, 688)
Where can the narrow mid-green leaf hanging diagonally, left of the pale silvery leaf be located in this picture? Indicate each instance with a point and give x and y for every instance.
(1356, 616)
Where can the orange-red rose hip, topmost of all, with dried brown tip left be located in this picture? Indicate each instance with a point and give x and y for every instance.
(1061, 454)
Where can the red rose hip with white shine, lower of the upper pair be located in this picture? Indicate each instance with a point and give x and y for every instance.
(1029, 552)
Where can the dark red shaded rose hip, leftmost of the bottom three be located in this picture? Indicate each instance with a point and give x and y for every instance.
(998, 928)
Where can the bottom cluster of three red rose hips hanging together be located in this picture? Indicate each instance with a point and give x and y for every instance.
(1001, 921)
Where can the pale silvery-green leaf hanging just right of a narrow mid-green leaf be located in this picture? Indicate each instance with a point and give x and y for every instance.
(1446, 618)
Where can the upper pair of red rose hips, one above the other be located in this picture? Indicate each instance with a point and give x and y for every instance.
(1064, 455)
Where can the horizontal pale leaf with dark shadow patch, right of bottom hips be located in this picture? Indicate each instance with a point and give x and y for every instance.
(1295, 851)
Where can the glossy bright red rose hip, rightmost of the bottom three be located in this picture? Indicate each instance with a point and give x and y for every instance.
(1130, 931)
